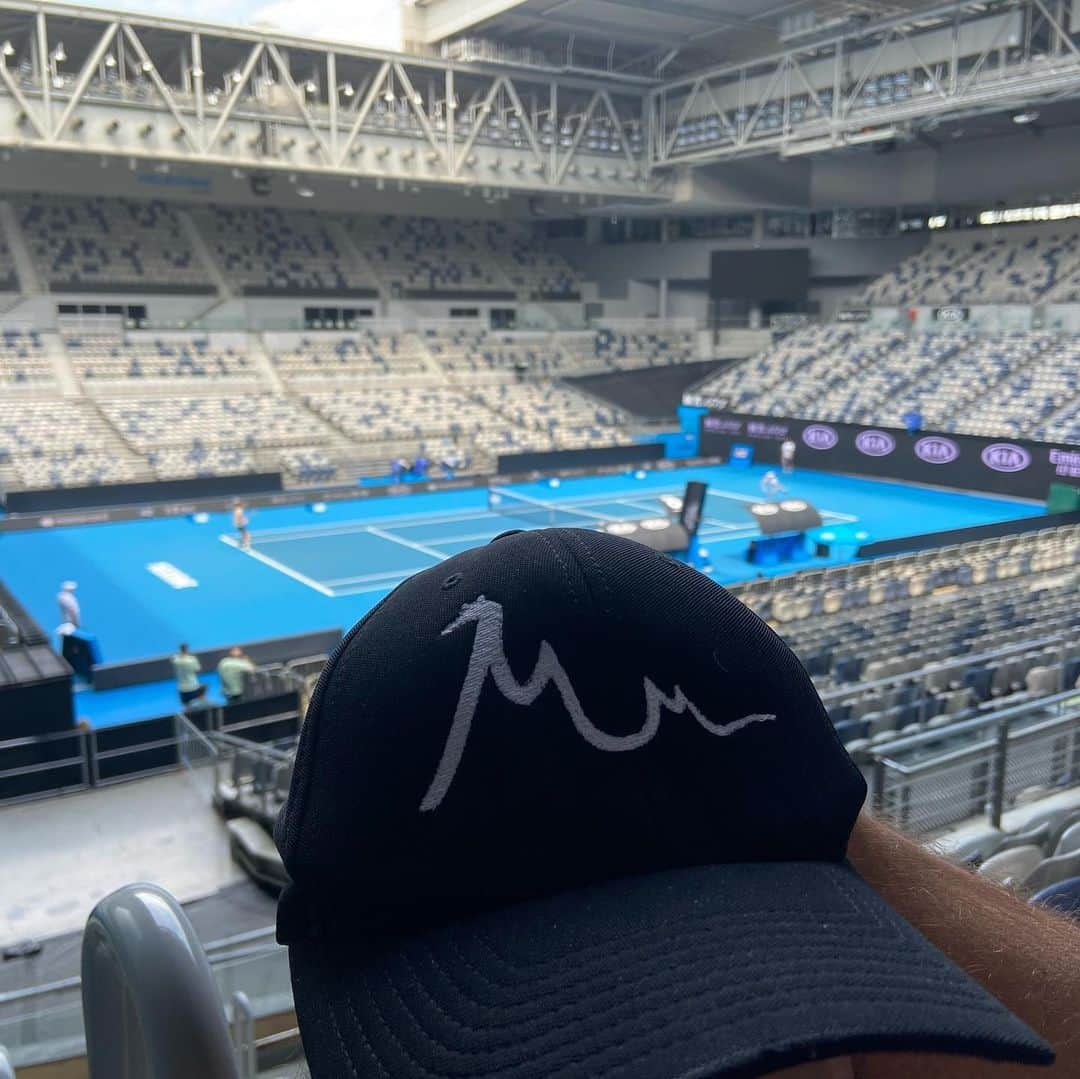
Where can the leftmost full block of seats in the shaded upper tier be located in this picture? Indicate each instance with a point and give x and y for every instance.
(115, 246)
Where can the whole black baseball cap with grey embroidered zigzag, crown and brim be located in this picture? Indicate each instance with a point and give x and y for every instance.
(564, 807)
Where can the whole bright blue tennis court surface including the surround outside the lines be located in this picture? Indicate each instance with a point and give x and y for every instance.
(145, 586)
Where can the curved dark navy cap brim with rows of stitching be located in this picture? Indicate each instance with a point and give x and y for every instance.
(710, 972)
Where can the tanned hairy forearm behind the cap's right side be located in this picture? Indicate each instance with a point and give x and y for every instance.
(1027, 956)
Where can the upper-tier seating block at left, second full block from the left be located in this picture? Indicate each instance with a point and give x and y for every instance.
(271, 252)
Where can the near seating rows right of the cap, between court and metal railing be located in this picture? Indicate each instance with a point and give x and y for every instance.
(924, 621)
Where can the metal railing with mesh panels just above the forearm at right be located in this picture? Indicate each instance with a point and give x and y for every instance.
(979, 766)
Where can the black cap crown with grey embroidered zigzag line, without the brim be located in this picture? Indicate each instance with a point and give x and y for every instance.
(558, 708)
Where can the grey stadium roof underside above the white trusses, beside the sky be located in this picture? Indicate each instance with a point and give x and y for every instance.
(650, 38)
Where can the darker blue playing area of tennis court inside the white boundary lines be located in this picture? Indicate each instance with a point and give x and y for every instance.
(327, 558)
